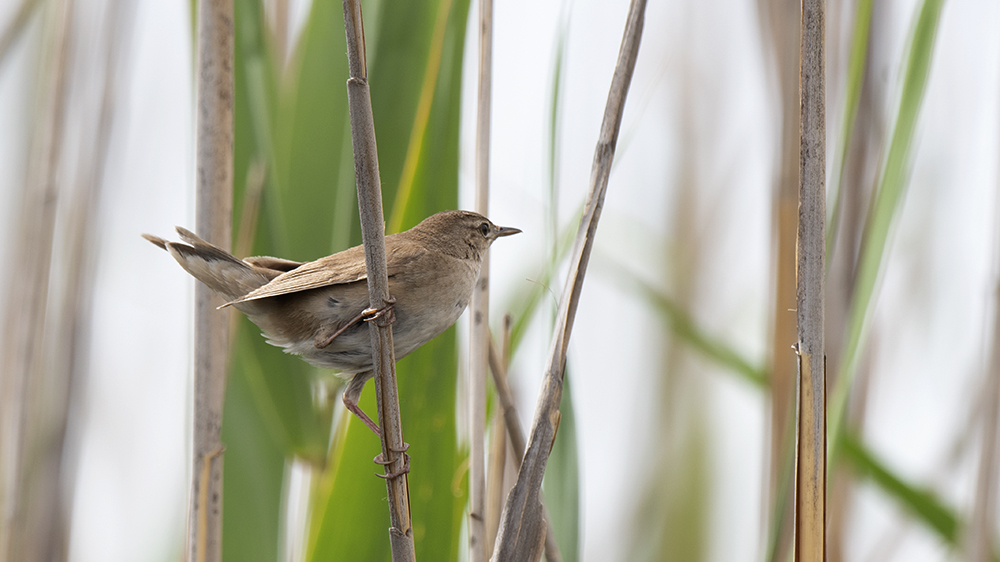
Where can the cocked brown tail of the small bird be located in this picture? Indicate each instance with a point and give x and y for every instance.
(218, 269)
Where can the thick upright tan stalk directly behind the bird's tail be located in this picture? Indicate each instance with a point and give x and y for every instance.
(213, 220)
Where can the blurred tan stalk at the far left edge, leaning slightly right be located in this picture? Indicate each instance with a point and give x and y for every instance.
(25, 491)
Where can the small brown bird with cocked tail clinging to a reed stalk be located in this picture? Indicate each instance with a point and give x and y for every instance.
(316, 310)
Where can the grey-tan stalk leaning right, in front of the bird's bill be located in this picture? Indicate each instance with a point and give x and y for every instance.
(522, 529)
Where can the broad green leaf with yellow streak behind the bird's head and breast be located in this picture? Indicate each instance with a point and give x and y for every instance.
(418, 149)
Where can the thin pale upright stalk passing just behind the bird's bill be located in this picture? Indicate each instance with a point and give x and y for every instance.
(480, 307)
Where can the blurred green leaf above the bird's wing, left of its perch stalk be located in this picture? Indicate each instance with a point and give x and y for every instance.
(312, 133)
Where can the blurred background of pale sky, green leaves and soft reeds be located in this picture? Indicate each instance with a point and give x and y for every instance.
(674, 439)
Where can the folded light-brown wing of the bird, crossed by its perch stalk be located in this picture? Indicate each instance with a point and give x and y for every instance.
(341, 268)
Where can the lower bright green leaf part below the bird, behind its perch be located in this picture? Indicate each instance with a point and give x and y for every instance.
(350, 515)
